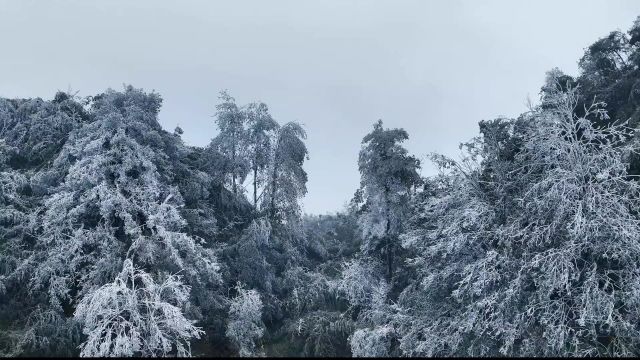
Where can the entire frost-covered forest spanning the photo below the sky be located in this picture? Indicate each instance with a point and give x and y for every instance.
(118, 239)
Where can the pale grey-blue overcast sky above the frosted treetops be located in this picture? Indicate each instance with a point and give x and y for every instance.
(434, 68)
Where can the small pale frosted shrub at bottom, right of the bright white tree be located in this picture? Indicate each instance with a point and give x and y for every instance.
(245, 327)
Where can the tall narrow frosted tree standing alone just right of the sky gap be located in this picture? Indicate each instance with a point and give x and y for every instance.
(389, 177)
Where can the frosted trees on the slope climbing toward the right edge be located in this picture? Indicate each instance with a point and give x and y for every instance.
(527, 245)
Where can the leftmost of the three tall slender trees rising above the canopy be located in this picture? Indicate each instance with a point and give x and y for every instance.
(232, 139)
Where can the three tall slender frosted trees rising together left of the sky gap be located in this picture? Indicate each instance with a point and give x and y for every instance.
(252, 142)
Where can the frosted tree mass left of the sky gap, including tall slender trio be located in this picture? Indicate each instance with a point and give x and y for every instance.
(114, 231)
